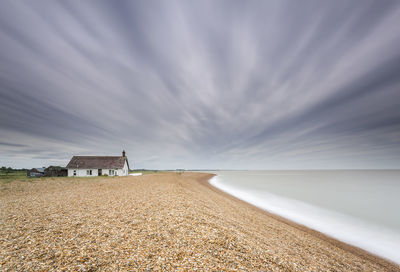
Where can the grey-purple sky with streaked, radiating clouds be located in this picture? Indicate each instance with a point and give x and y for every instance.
(201, 84)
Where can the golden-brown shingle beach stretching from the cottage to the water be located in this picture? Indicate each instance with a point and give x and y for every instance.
(157, 222)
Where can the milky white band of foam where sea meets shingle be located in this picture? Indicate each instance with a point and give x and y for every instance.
(376, 239)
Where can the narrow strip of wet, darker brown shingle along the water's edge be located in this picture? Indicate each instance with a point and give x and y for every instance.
(386, 263)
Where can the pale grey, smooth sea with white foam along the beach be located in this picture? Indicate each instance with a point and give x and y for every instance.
(358, 207)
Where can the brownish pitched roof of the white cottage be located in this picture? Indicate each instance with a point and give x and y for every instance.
(97, 162)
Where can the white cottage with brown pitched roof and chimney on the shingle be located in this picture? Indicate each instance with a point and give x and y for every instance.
(88, 166)
